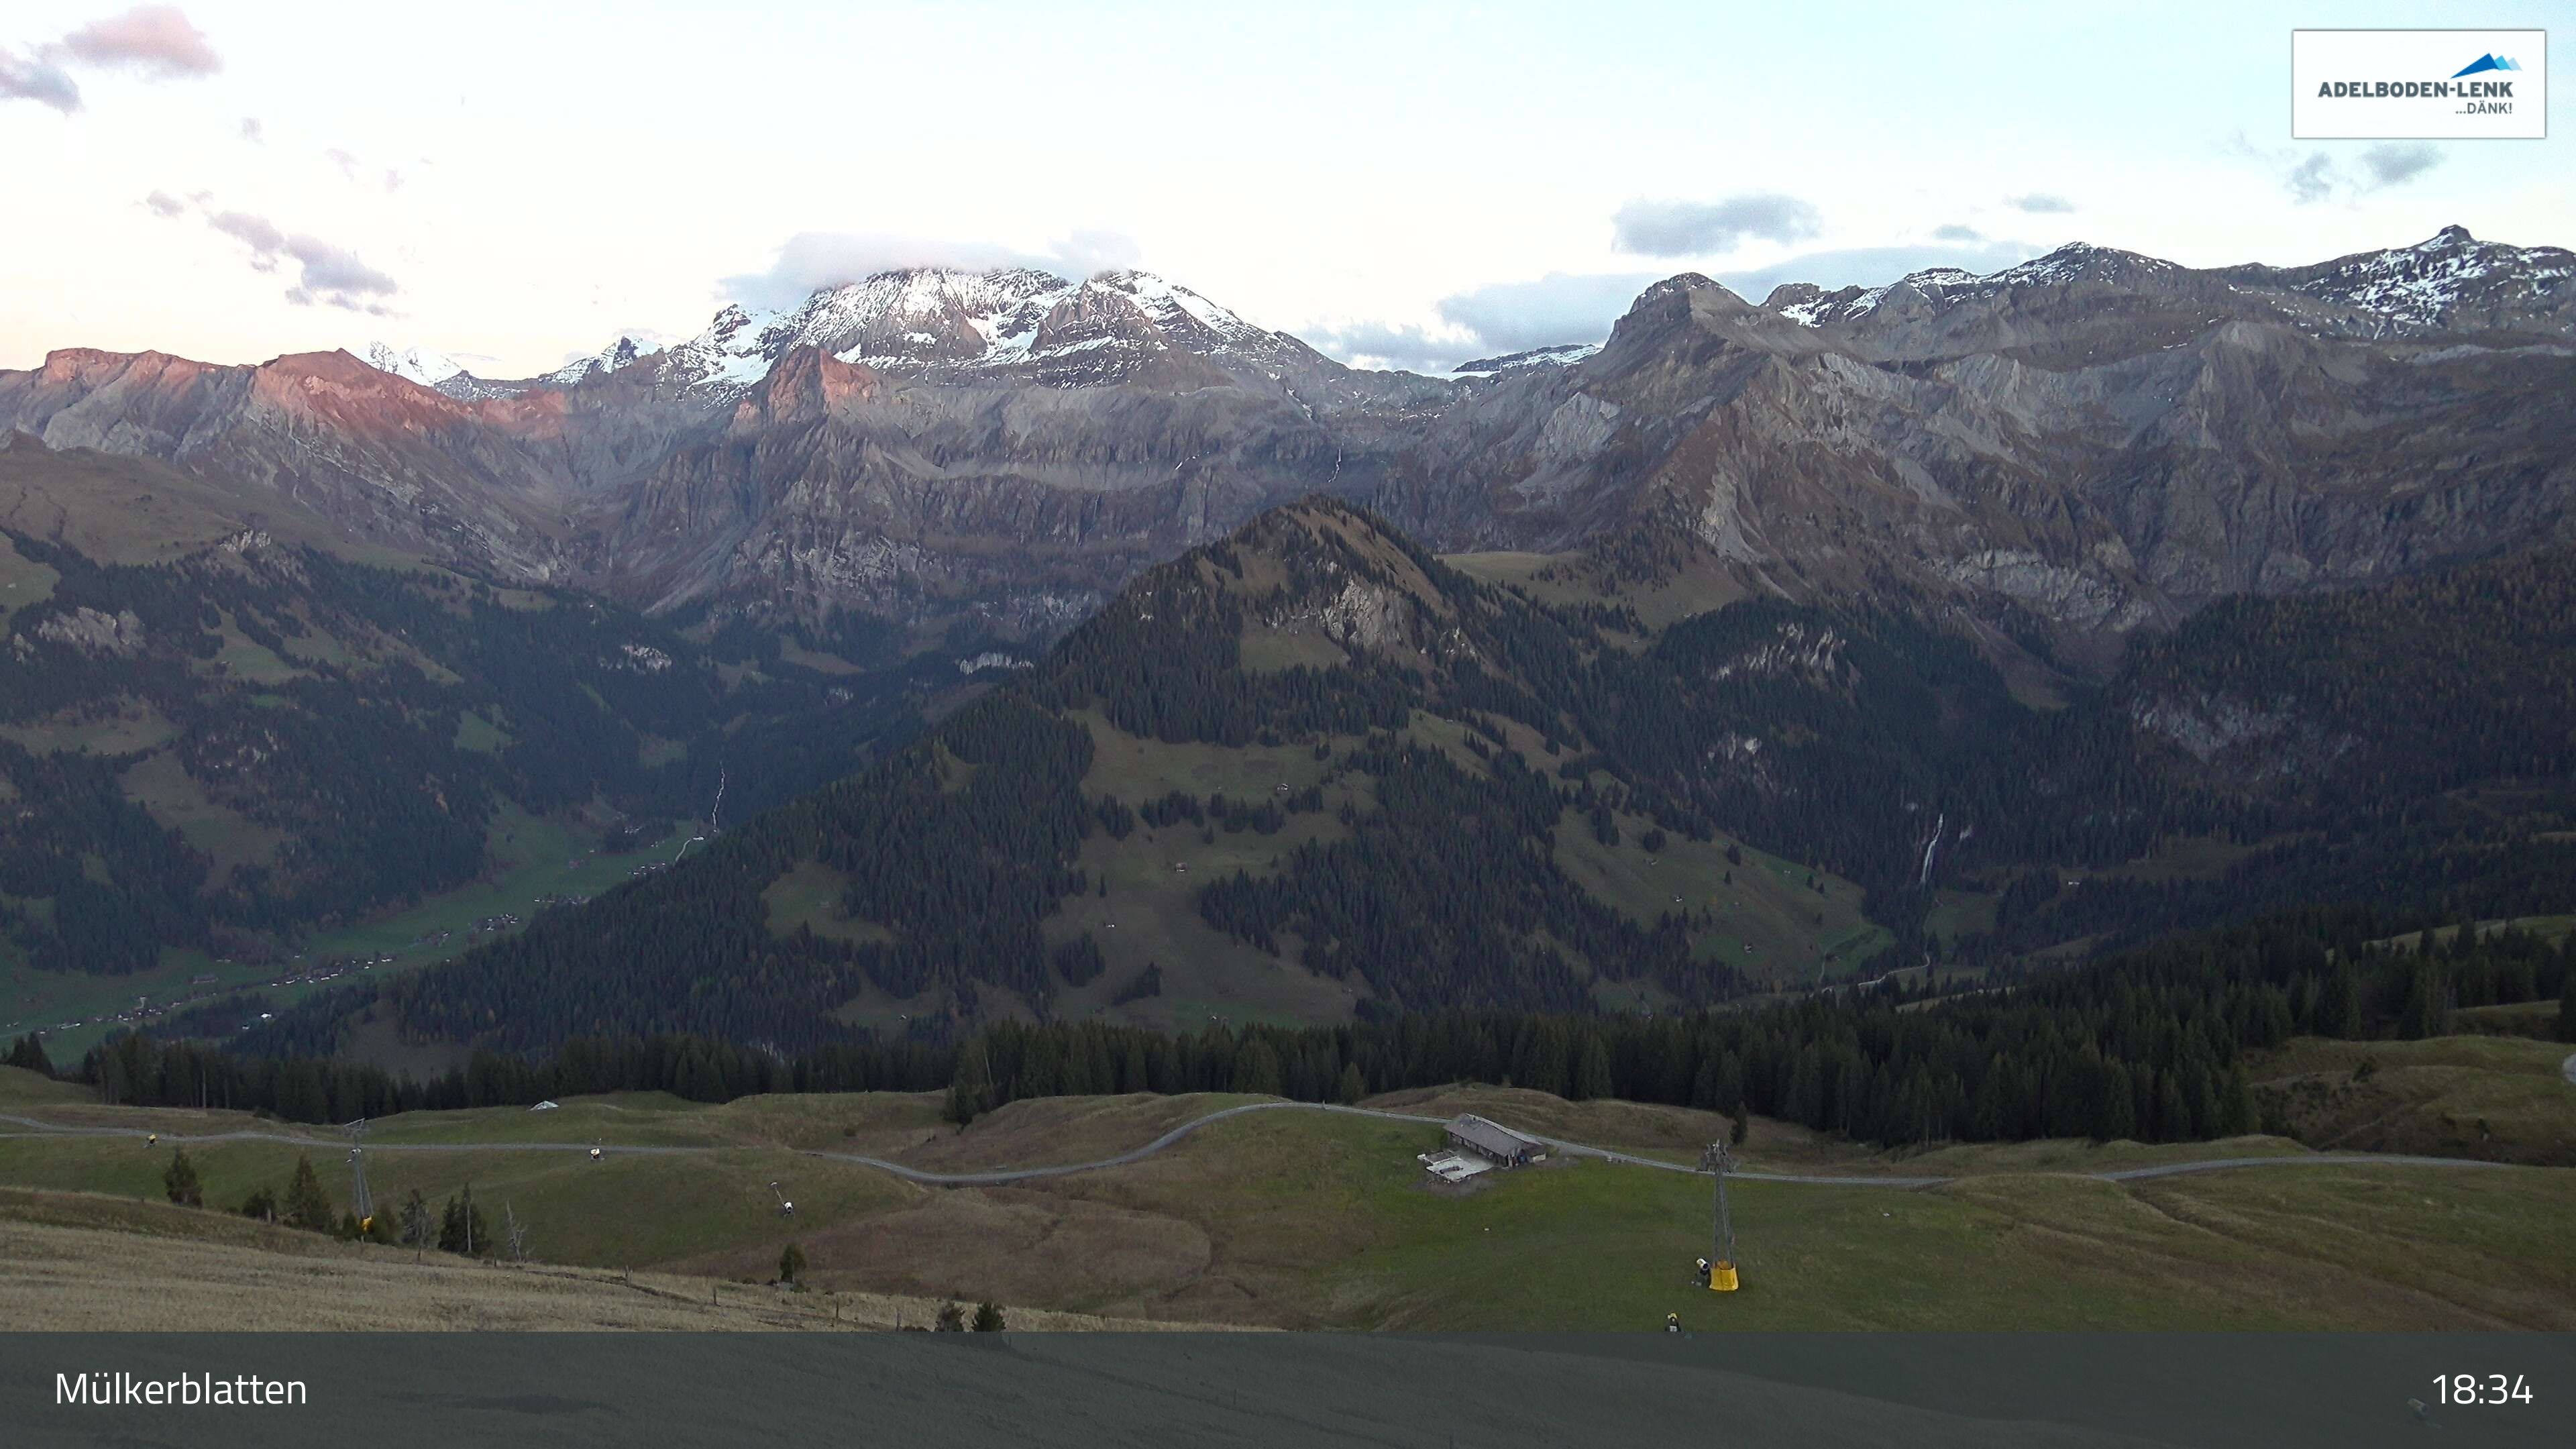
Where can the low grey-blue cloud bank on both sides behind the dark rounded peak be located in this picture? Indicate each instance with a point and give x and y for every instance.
(1580, 308)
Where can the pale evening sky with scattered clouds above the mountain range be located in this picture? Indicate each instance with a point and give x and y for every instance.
(1397, 184)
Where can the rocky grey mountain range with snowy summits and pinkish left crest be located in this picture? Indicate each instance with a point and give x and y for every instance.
(2078, 445)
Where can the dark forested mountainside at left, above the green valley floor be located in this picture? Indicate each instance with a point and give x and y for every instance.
(344, 736)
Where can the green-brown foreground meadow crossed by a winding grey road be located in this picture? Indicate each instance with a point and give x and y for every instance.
(1318, 1221)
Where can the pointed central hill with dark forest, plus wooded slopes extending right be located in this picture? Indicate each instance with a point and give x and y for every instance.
(1866, 741)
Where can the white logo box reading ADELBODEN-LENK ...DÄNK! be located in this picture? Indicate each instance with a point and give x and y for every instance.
(2407, 86)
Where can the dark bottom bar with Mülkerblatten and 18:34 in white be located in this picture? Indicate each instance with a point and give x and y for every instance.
(2209, 1391)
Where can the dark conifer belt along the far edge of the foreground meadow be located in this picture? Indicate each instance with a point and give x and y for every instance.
(2147, 1045)
